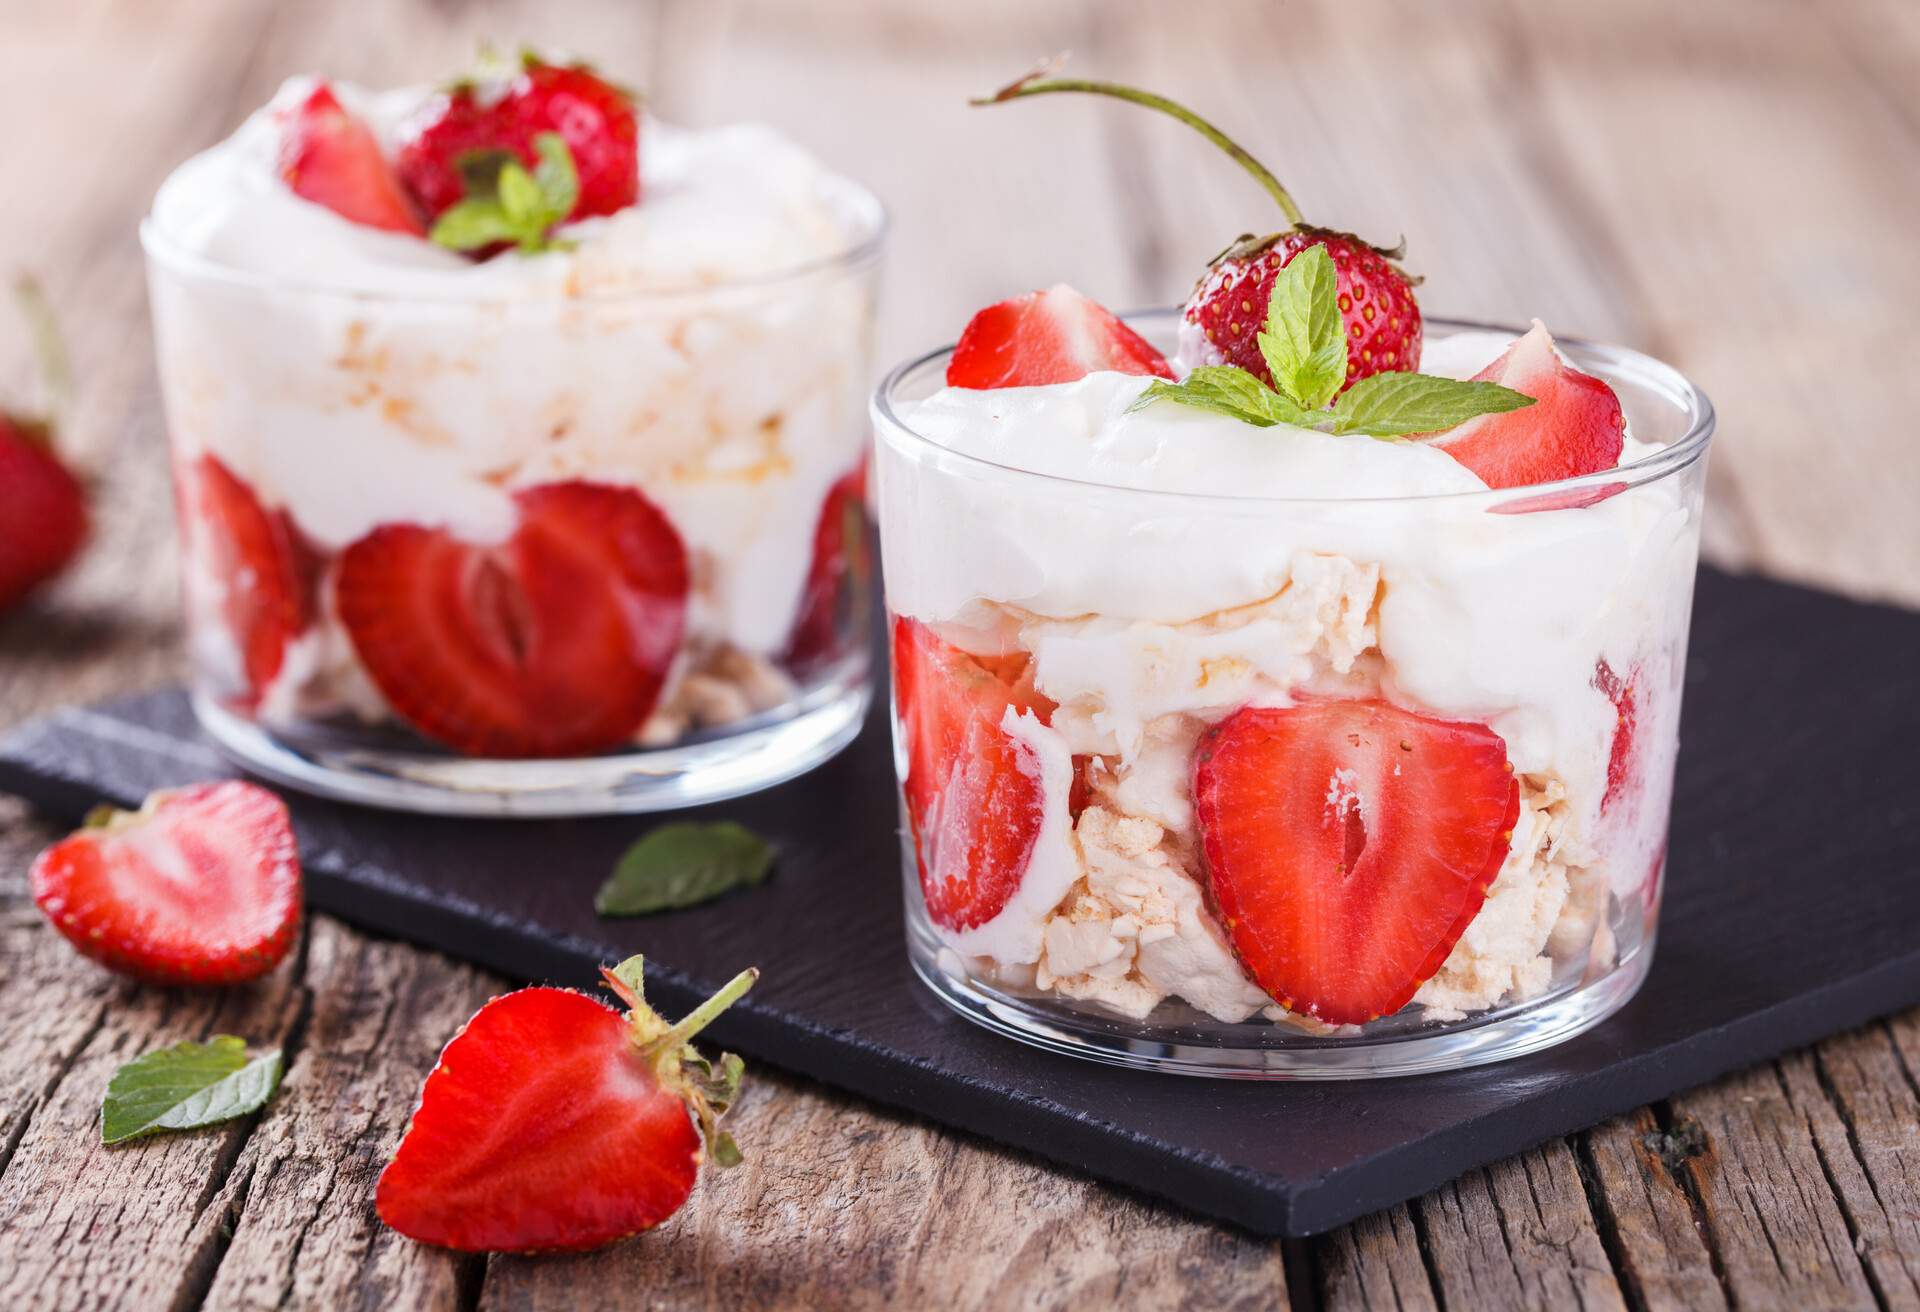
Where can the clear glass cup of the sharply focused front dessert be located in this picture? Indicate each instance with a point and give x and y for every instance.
(1122, 629)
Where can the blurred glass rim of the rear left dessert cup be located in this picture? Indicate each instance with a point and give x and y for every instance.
(867, 239)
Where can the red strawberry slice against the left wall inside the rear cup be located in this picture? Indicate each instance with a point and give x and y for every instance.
(264, 570)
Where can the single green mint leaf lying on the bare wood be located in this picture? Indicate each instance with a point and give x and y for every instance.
(187, 1086)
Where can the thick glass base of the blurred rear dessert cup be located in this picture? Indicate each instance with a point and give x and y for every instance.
(744, 760)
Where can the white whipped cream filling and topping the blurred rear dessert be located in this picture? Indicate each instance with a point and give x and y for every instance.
(704, 347)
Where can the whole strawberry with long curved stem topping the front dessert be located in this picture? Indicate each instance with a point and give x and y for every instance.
(1230, 304)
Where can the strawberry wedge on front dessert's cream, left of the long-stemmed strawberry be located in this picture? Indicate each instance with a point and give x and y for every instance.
(1049, 337)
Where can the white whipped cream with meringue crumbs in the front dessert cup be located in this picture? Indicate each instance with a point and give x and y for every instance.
(1157, 593)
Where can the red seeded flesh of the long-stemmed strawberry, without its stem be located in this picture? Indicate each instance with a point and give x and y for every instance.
(1383, 322)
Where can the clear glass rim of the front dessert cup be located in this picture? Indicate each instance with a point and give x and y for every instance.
(1652, 468)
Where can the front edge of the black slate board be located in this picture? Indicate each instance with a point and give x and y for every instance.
(1199, 1182)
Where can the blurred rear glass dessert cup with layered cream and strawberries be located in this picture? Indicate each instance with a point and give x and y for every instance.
(667, 487)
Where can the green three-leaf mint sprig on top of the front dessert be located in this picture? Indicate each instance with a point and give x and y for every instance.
(1305, 345)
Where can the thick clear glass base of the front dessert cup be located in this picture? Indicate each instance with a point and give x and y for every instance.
(1272, 1052)
